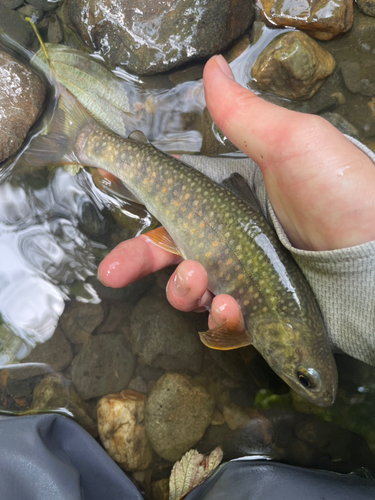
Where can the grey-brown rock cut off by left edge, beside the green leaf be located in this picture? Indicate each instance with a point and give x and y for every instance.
(22, 95)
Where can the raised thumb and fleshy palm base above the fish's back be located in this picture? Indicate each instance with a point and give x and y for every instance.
(321, 186)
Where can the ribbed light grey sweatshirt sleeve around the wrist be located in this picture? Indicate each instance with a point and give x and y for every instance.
(343, 280)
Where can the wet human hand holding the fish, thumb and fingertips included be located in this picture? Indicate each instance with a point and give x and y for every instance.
(321, 187)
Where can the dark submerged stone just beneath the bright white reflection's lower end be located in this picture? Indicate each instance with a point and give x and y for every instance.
(56, 352)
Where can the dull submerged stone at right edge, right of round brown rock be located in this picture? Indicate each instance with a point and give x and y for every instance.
(359, 77)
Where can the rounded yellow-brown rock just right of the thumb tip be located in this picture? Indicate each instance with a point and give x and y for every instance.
(293, 66)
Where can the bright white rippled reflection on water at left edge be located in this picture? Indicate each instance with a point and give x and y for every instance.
(52, 236)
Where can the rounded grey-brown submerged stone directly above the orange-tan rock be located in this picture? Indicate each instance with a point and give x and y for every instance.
(105, 365)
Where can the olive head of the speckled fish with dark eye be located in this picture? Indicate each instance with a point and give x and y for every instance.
(301, 355)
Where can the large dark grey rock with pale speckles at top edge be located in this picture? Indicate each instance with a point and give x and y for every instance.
(150, 36)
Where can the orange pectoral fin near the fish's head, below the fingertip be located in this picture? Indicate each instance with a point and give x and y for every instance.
(225, 337)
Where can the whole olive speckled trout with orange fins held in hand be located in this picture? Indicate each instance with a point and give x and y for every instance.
(208, 223)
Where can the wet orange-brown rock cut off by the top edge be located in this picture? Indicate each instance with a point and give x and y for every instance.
(322, 19)
